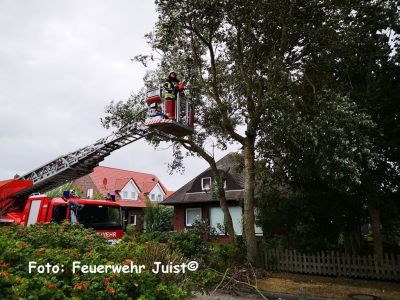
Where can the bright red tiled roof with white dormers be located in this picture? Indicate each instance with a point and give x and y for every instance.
(109, 180)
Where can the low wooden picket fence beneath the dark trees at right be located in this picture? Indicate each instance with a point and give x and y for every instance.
(334, 264)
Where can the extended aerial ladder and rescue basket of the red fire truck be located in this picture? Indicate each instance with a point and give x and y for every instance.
(81, 162)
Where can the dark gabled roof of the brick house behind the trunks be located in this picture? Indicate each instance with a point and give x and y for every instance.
(189, 193)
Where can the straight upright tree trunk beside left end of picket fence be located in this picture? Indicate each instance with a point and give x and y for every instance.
(248, 215)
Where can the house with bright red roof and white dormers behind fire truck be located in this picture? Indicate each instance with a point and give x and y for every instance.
(130, 189)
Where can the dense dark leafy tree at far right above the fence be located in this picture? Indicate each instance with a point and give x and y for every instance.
(337, 127)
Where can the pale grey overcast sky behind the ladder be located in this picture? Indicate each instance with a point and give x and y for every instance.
(61, 63)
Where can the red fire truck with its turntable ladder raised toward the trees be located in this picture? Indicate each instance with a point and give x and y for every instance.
(23, 200)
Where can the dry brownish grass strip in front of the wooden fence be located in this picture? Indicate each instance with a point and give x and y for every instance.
(336, 288)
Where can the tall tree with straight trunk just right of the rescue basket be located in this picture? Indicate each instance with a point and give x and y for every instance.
(219, 42)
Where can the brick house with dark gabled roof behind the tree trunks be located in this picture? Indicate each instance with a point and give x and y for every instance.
(196, 201)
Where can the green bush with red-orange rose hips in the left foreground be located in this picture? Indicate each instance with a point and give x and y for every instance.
(61, 245)
